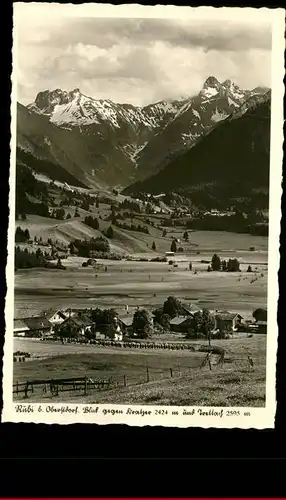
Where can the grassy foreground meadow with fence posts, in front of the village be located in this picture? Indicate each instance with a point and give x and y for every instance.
(232, 385)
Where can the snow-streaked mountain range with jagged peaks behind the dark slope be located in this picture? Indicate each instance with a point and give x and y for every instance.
(83, 141)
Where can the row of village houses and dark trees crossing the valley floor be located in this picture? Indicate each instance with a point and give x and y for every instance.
(175, 317)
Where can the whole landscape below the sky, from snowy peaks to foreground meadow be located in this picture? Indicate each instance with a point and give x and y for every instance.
(122, 211)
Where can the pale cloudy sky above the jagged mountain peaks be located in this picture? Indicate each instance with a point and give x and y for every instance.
(137, 60)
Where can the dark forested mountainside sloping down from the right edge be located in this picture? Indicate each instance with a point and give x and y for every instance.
(231, 161)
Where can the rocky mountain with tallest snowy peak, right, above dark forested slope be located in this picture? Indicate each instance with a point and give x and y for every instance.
(200, 114)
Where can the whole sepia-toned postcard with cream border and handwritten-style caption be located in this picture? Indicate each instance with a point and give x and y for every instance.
(144, 215)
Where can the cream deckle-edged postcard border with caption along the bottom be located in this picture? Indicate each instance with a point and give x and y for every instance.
(205, 417)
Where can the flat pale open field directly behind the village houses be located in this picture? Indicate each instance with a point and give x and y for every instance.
(137, 283)
